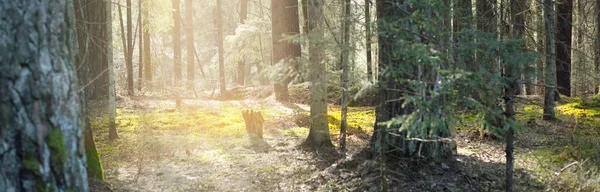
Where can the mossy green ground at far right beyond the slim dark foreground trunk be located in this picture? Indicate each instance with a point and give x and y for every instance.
(543, 148)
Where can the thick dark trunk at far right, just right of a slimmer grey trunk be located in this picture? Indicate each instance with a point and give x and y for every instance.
(564, 20)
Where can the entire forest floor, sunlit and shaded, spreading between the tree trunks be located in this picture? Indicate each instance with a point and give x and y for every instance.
(203, 146)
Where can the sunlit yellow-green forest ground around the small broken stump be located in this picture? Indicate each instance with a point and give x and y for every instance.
(203, 146)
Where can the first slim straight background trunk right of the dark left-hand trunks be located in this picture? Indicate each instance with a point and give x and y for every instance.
(129, 47)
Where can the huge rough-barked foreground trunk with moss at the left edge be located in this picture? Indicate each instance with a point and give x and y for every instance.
(42, 140)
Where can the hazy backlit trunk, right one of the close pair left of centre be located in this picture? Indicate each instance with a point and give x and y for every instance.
(189, 37)
